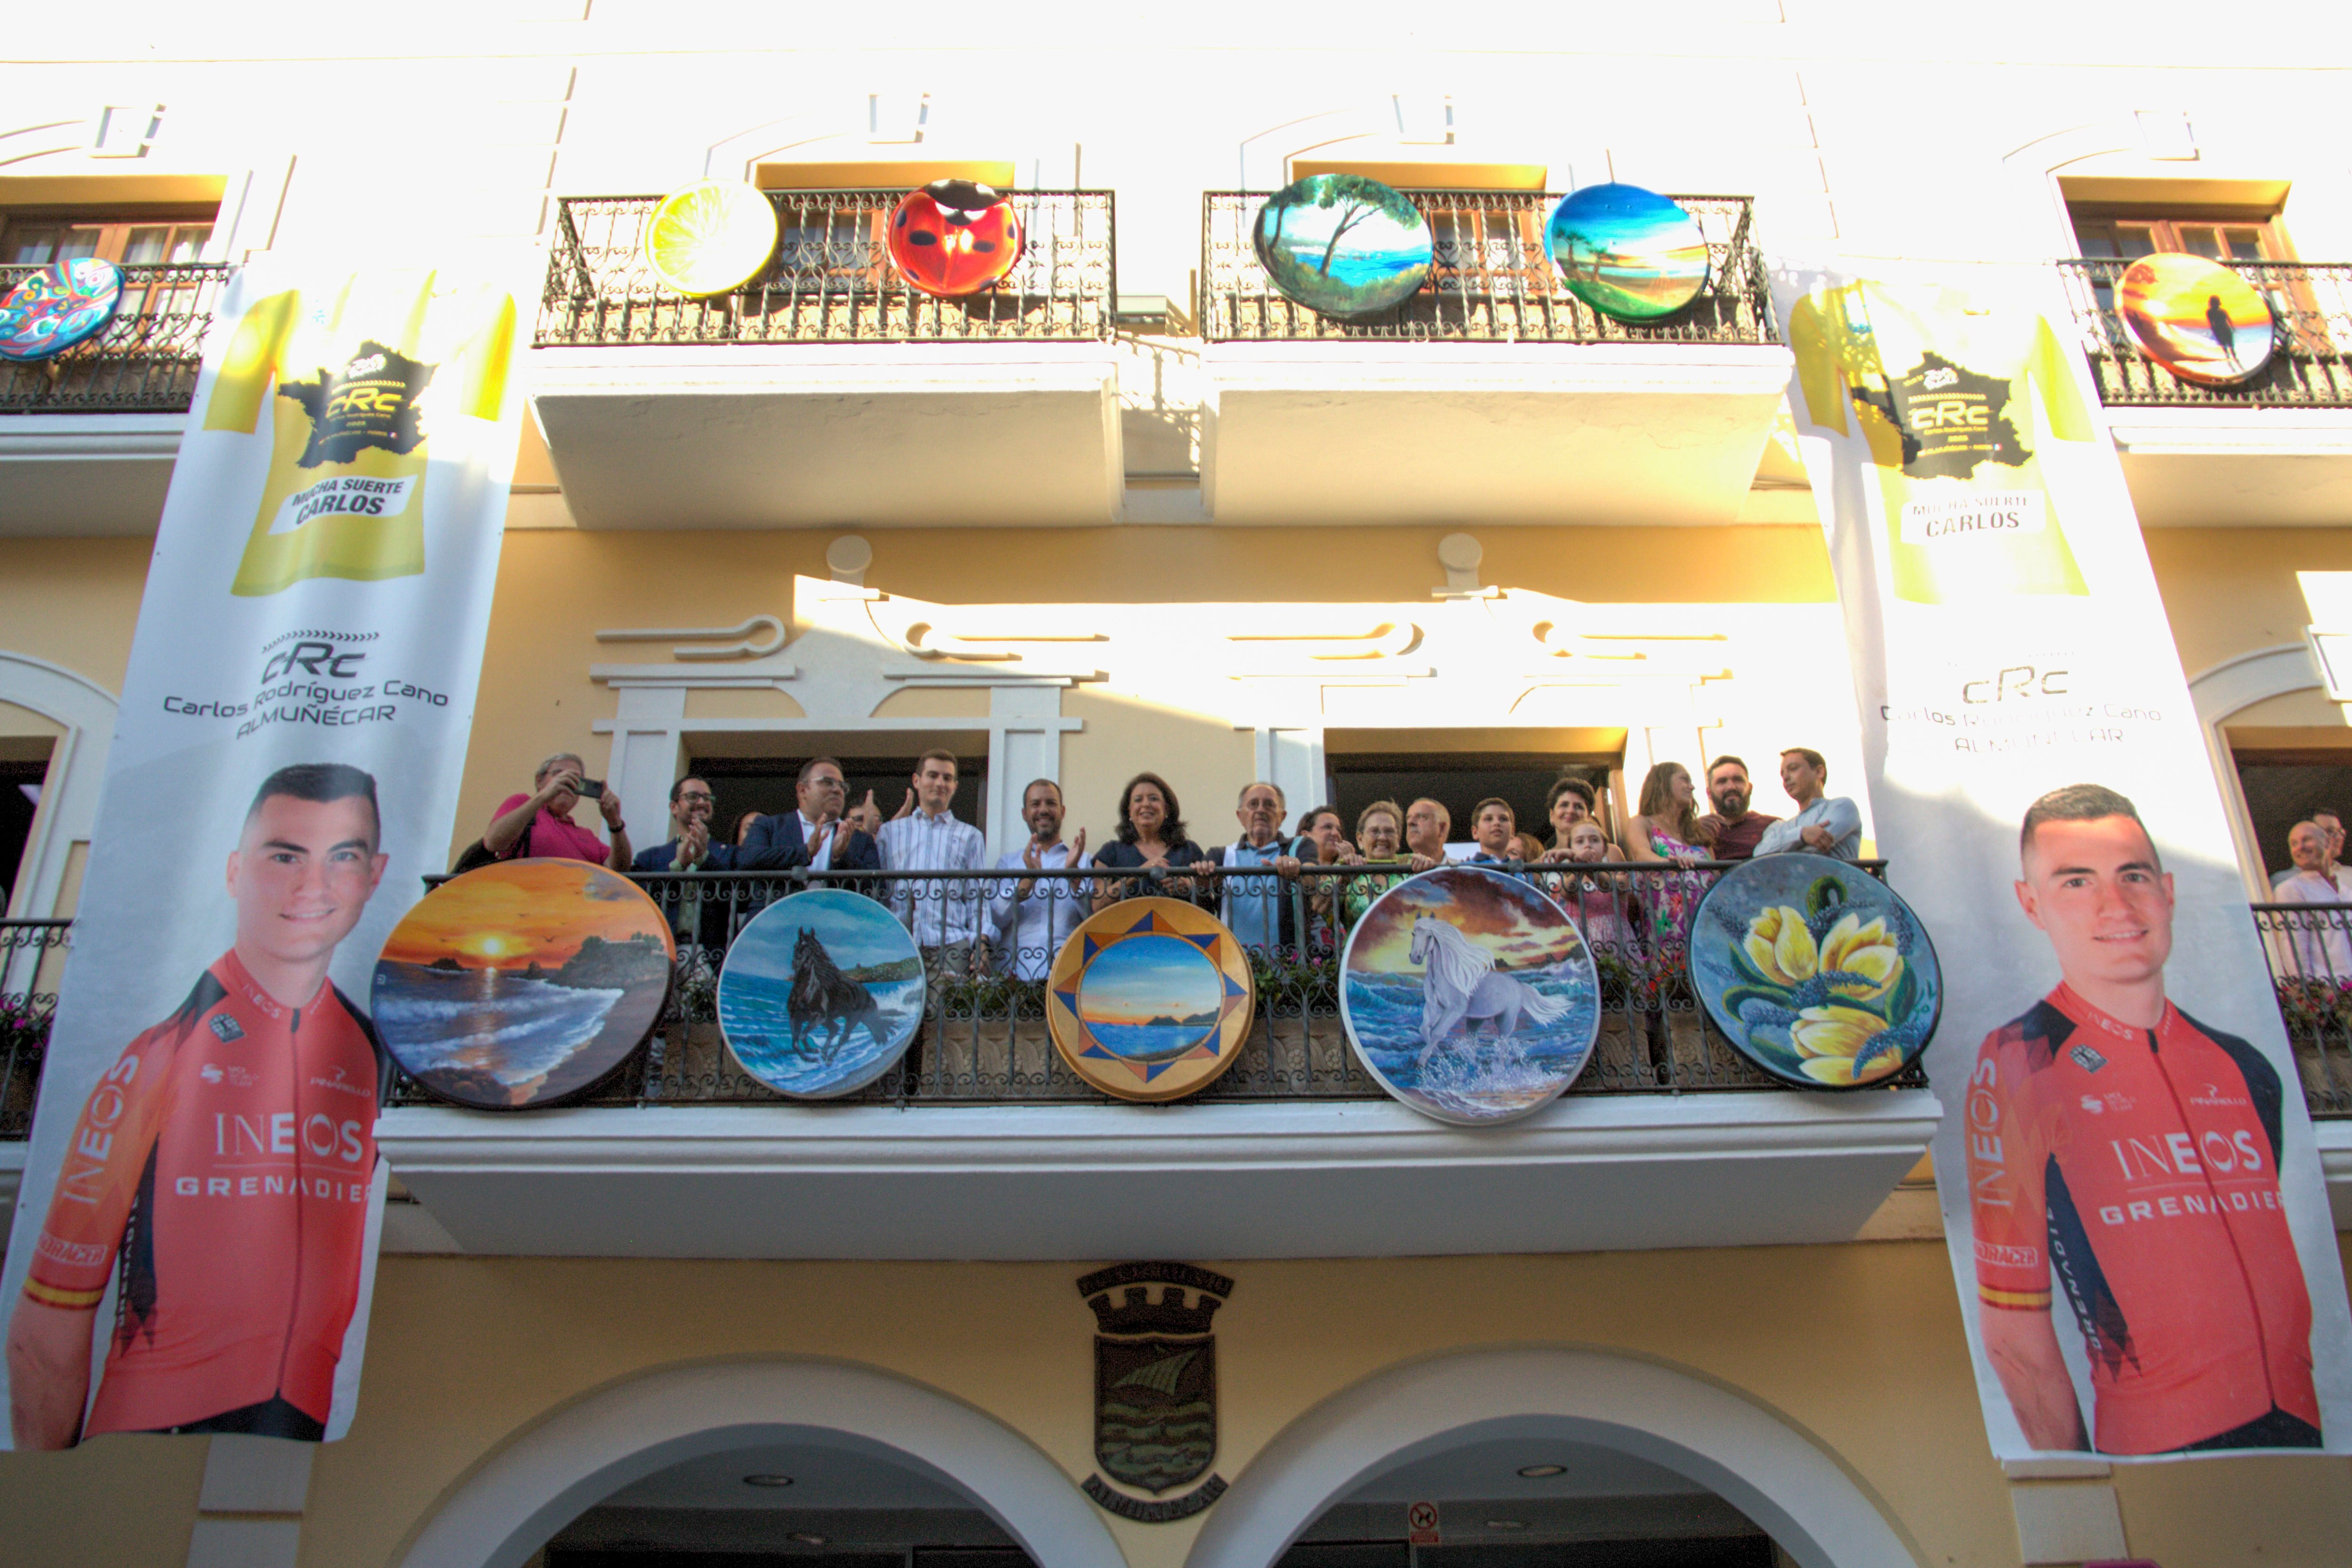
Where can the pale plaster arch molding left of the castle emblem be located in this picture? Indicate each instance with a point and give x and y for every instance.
(589, 1449)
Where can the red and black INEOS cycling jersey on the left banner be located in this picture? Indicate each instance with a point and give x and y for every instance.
(222, 1174)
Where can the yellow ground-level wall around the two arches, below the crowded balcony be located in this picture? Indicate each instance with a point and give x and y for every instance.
(1855, 1346)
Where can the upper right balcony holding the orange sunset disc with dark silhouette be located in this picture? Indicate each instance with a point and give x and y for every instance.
(2266, 453)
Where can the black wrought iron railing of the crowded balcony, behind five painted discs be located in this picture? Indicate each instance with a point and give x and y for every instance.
(984, 1031)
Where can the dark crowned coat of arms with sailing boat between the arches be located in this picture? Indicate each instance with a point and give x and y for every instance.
(1154, 1388)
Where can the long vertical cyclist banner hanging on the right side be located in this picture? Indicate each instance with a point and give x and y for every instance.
(2130, 1186)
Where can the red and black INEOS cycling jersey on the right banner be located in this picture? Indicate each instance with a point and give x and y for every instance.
(2144, 1170)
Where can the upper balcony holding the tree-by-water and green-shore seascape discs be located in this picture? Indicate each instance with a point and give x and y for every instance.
(1492, 394)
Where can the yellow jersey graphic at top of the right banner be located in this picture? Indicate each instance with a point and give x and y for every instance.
(1942, 396)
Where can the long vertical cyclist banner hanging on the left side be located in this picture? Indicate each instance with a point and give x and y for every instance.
(196, 1233)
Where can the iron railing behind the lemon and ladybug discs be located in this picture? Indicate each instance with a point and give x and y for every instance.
(831, 279)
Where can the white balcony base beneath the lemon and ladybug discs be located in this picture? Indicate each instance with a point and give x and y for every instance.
(834, 436)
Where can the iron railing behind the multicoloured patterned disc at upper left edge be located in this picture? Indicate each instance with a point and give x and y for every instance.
(145, 363)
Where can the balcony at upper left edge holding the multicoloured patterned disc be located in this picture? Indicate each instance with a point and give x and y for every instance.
(88, 438)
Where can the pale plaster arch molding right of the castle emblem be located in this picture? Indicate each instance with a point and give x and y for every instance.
(1803, 1496)
